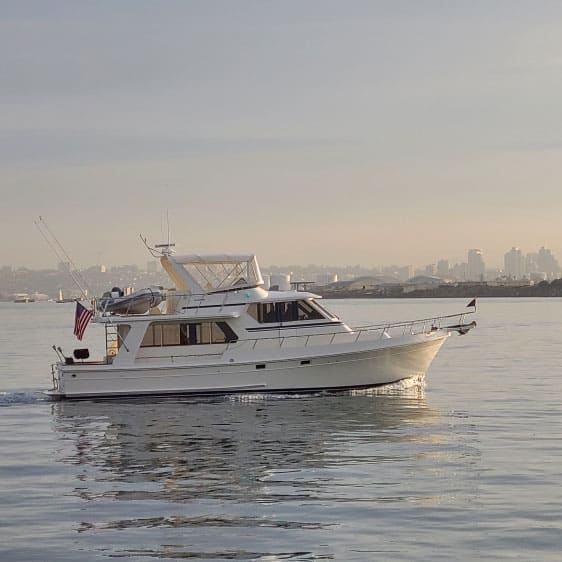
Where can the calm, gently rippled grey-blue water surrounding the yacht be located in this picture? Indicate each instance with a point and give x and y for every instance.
(468, 467)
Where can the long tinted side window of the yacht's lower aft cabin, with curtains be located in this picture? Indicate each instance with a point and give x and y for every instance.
(193, 333)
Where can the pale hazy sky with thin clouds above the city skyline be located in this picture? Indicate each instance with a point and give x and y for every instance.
(309, 132)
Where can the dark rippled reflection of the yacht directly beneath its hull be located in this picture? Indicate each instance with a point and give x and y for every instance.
(230, 447)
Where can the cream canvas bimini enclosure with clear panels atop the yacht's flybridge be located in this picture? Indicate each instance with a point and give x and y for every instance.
(213, 273)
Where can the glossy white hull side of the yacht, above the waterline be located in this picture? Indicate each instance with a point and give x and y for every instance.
(301, 369)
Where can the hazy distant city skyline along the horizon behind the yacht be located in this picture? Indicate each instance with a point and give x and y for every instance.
(519, 270)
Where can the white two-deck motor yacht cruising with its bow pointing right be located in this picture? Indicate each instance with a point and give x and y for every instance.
(219, 330)
